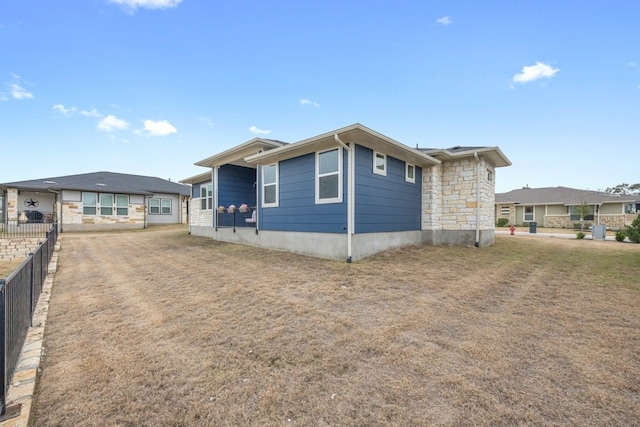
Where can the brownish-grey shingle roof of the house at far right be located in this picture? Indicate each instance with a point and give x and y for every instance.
(559, 196)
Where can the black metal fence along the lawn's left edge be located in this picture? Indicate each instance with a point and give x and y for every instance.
(19, 294)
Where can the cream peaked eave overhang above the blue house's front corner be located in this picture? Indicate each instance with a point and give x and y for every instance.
(357, 134)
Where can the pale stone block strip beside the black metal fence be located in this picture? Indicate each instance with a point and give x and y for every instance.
(24, 378)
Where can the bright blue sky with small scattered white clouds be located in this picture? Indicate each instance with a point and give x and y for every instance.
(151, 86)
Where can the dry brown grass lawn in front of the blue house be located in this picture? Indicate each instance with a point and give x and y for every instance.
(159, 328)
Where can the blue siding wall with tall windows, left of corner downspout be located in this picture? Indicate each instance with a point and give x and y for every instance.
(297, 209)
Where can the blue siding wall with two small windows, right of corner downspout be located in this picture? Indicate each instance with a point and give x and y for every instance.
(385, 203)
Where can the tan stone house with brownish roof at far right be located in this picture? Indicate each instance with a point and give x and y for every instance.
(557, 207)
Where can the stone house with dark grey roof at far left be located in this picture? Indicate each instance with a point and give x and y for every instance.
(96, 201)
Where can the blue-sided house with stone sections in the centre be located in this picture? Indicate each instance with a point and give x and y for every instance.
(346, 194)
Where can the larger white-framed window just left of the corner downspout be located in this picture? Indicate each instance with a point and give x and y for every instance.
(329, 176)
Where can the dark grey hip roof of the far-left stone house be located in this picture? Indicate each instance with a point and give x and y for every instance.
(103, 182)
